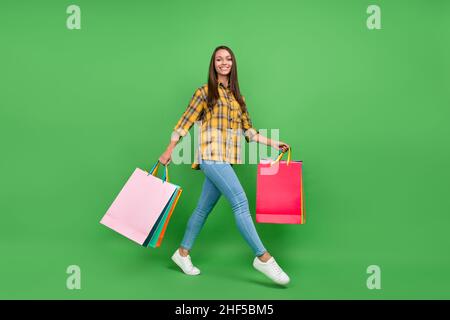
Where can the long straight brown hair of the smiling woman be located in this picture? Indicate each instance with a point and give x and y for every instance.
(213, 93)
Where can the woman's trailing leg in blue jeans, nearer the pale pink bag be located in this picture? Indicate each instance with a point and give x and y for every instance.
(208, 199)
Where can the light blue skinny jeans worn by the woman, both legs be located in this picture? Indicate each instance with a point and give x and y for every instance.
(220, 178)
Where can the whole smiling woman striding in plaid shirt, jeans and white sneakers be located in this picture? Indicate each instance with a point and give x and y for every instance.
(223, 114)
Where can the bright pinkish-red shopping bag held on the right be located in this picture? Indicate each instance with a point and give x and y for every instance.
(279, 191)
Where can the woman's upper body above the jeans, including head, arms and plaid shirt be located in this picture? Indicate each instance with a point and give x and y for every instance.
(223, 114)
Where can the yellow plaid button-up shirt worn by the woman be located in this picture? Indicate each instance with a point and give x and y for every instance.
(220, 130)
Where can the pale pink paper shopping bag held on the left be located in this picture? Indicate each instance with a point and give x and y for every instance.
(139, 204)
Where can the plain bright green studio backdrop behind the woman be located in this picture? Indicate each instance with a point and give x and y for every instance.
(366, 110)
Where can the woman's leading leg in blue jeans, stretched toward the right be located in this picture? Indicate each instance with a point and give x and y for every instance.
(226, 181)
